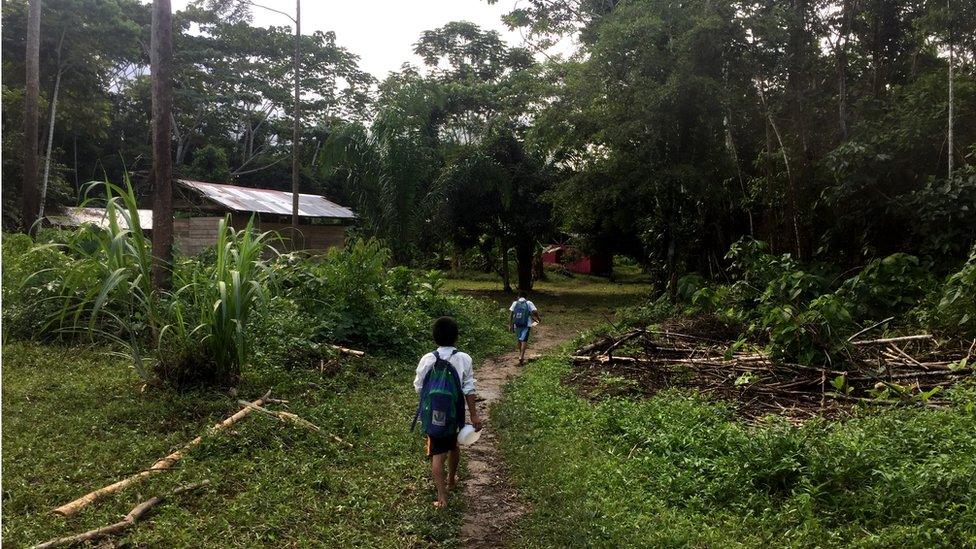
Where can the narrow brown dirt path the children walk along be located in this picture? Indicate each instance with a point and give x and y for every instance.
(491, 503)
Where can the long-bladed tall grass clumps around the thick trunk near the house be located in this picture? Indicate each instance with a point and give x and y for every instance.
(195, 333)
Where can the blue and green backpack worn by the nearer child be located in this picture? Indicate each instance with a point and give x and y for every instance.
(441, 407)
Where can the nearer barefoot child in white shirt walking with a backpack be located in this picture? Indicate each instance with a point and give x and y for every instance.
(445, 383)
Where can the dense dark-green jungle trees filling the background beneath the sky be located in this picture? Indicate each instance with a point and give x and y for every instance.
(671, 131)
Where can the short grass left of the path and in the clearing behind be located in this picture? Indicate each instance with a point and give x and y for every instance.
(75, 419)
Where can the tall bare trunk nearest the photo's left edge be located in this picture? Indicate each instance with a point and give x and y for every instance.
(31, 197)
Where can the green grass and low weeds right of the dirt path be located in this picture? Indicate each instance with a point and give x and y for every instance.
(676, 470)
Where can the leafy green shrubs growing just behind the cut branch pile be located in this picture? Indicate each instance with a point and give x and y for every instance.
(804, 312)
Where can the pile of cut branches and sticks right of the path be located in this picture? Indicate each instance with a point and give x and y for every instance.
(898, 370)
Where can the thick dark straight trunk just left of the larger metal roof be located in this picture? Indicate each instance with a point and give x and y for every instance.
(162, 107)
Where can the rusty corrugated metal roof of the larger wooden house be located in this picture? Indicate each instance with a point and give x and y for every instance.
(245, 199)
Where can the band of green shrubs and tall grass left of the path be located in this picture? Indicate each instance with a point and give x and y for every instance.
(230, 306)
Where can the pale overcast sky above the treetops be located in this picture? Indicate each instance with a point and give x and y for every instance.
(382, 32)
